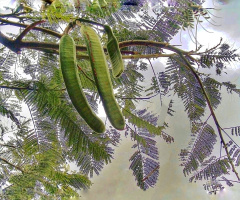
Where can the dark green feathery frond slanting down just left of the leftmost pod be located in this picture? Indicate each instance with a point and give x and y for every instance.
(48, 103)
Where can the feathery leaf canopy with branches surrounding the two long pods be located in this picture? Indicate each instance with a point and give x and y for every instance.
(36, 150)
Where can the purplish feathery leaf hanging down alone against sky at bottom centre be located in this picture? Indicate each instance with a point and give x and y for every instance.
(144, 161)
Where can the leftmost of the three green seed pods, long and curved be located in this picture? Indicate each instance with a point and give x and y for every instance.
(67, 52)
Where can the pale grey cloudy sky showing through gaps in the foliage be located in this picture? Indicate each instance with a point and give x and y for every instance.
(116, 181)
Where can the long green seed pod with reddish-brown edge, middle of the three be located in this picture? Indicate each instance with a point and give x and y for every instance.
(102, 77)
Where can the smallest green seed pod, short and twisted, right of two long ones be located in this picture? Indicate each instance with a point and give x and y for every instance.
(114, 53)
